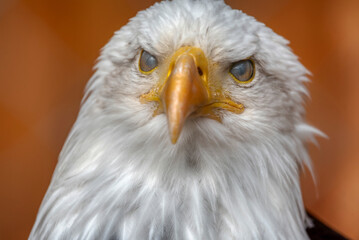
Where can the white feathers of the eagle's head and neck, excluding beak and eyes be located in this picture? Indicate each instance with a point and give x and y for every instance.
(120, 177)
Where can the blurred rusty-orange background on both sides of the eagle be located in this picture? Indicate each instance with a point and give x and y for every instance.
(48, 49)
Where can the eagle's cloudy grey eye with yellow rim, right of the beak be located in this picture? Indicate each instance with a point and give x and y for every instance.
(242, 71)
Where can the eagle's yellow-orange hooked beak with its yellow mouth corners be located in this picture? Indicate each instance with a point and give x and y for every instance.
(186, 92)
